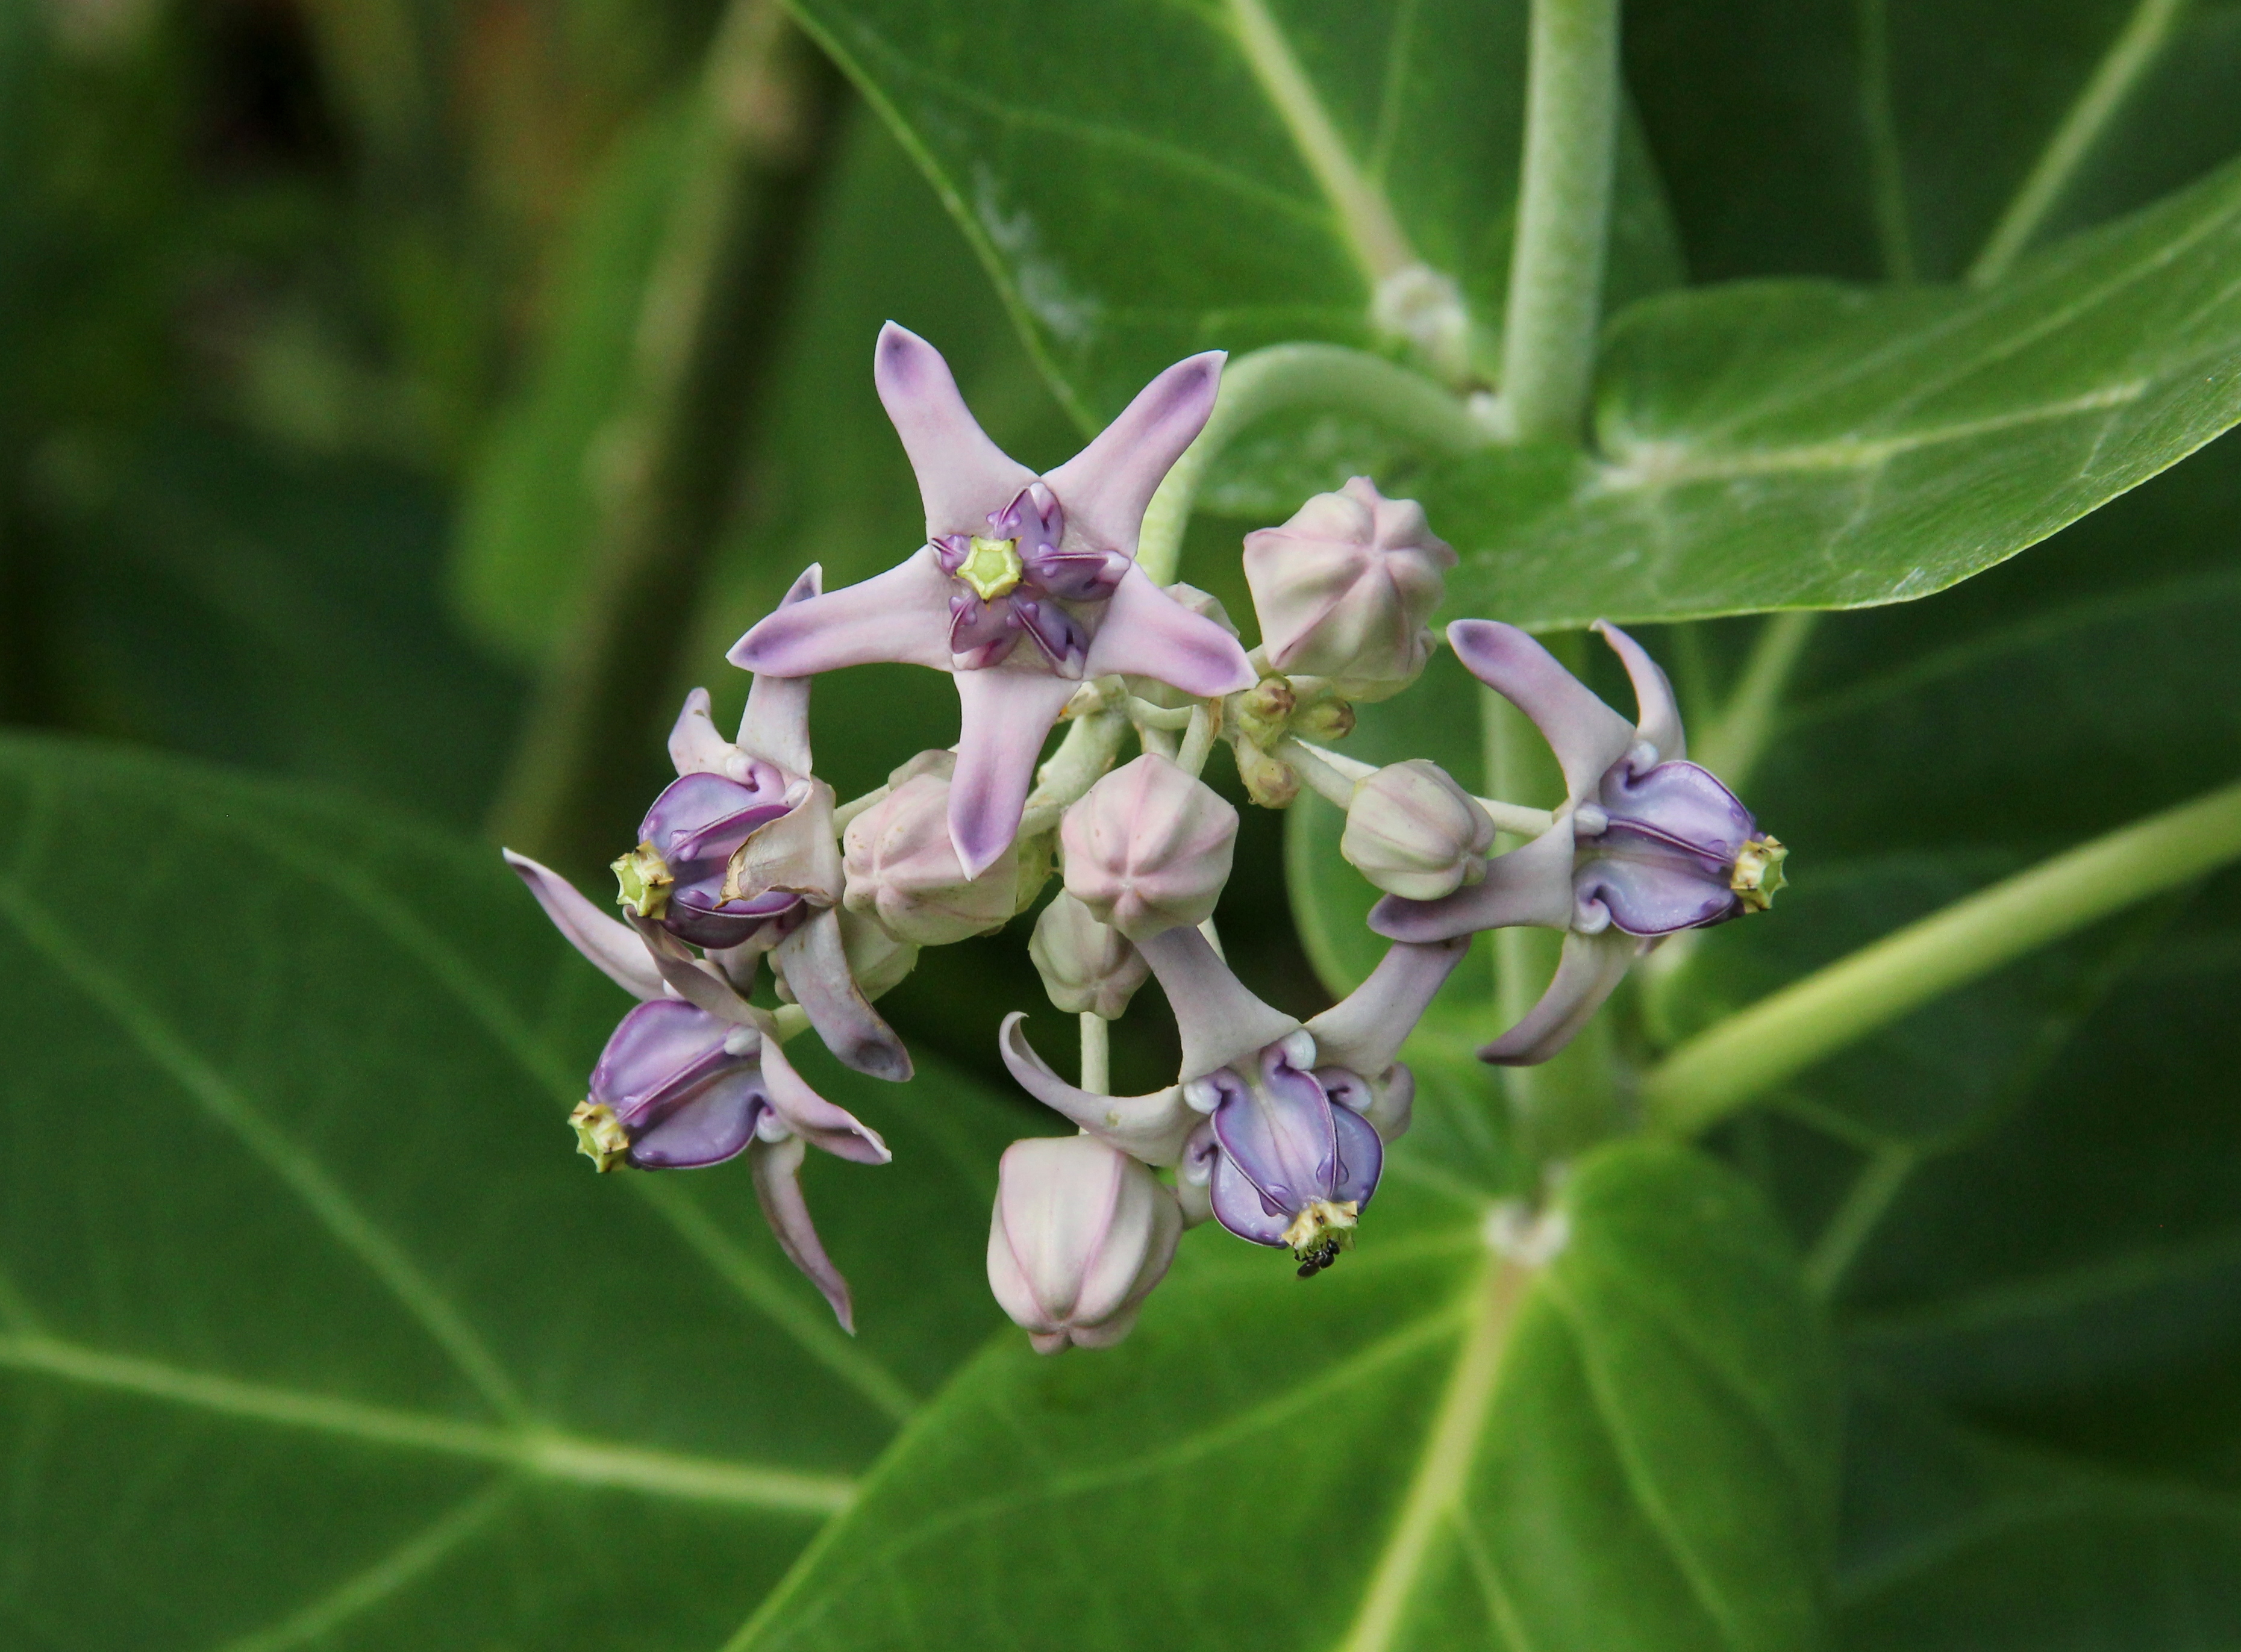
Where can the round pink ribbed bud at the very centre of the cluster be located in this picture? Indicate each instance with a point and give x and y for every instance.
(1151, 848)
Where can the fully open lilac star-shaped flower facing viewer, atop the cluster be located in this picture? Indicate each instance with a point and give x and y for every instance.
(1025, 588)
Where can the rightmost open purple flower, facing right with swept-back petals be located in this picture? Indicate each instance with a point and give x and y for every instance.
(1644, 846)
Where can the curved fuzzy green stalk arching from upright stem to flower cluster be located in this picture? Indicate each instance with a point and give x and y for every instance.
(1285, 378)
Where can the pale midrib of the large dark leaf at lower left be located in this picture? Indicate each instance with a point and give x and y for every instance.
(534, 1451)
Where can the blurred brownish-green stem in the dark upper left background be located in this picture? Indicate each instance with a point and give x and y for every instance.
(707, 331)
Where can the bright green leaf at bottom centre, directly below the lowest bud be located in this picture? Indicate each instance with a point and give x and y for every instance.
(1429, 1447)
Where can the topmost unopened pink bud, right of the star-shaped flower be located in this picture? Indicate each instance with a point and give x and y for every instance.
(1346, 588)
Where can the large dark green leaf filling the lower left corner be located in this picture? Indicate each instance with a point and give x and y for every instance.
(313, 1324)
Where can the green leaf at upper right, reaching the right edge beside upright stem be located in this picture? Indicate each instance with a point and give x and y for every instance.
(1803, 445)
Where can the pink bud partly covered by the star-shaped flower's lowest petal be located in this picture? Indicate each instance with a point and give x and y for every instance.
(904, 871)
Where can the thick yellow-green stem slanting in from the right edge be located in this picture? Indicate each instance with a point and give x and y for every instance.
(1756, 1050)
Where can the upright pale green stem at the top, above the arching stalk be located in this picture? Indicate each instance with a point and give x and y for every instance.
(1563, 221)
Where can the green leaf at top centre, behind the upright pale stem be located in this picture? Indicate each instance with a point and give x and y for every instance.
(1149, 180)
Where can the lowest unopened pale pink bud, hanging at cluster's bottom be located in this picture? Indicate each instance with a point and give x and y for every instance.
(1081, 1236)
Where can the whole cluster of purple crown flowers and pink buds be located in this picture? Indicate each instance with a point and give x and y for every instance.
(1030, 595)
